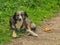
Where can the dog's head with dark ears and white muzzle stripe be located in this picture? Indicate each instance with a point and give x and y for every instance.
(20, 15)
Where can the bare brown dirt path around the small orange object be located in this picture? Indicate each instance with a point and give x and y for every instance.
(45, 38)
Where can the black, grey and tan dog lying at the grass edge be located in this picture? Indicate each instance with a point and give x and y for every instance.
(19, 20)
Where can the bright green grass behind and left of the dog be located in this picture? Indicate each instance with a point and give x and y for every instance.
(37, 10)
